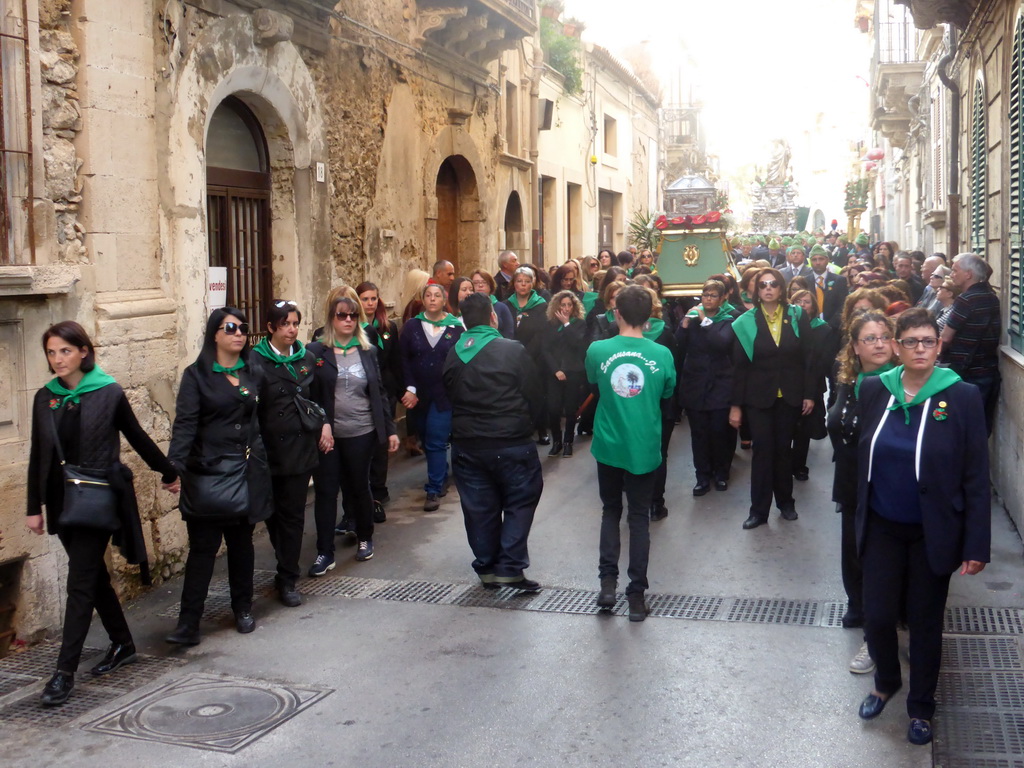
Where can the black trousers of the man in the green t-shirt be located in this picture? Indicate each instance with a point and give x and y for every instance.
(613, 483)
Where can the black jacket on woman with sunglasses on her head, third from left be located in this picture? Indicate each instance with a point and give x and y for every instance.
(290, 450)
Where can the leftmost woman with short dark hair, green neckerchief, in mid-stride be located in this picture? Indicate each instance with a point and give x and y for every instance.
(78, 419)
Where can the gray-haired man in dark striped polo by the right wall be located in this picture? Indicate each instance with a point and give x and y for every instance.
(971, 337)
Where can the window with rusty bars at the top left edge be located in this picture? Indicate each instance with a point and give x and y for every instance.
(16, 138)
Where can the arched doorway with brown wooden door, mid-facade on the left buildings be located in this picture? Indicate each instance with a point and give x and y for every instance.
(458, 212)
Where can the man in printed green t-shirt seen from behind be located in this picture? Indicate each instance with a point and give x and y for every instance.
(633, 375)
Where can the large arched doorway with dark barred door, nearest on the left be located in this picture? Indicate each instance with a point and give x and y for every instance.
(238, 205)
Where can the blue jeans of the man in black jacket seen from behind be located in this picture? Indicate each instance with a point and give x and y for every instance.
(500, 490)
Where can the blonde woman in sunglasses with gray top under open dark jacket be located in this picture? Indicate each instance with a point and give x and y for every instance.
(349, 386)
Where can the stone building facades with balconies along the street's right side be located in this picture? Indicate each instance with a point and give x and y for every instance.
(950, 106)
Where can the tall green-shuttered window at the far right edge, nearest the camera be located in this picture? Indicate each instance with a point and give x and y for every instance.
(1015, 326)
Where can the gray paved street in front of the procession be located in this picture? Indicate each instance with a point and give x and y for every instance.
(436, 680)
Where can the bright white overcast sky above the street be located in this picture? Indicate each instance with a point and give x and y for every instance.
(796, 70)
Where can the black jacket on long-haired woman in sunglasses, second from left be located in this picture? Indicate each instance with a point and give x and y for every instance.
(215, 419)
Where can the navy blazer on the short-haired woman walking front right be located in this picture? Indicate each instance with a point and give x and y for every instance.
(956, 497)
